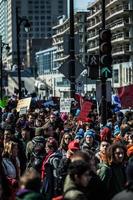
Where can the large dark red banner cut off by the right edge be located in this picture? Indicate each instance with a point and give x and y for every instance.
(125, 94)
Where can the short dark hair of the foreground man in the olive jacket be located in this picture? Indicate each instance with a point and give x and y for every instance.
(78, 167)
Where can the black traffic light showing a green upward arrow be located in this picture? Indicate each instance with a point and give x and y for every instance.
(105, 48)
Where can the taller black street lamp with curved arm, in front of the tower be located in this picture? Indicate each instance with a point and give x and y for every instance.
(19, 21)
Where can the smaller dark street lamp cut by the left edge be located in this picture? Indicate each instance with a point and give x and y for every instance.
(6, 46)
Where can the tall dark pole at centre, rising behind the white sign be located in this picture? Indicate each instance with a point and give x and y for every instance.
(72, 51)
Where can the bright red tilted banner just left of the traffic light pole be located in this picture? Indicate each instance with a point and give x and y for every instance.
(86, 108)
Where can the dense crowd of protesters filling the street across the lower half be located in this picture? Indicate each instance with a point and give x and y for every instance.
(48, 155)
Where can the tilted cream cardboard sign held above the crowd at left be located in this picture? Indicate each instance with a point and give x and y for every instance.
(23, 103)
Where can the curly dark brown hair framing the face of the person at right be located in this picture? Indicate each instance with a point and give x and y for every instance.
(111, 151)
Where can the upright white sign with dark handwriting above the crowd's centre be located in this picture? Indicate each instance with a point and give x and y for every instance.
(65, 105)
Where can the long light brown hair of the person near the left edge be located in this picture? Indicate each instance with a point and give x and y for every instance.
(8, 147)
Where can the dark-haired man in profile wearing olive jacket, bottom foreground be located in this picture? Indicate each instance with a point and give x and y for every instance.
(77, 179)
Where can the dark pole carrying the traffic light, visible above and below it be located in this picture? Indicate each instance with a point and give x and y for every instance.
(103, 79)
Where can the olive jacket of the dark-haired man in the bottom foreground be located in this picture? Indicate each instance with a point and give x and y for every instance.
(72, 191)
